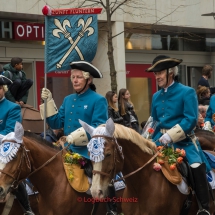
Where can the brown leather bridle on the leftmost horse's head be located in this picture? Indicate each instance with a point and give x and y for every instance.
(16, 176)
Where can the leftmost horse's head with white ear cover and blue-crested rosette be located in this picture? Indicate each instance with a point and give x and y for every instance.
(13, 158)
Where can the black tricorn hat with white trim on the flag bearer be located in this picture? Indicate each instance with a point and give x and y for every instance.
(86, 67)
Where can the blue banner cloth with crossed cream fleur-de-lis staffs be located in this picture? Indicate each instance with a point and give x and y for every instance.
(69, 38)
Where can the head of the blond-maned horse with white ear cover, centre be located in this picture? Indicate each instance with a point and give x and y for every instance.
(106, 156)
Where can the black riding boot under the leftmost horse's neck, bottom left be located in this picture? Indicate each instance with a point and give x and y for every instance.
(22, 197)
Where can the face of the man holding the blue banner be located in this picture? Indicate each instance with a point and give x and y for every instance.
(78, 80)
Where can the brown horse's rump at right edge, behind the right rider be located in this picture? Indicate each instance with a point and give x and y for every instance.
(206, 139)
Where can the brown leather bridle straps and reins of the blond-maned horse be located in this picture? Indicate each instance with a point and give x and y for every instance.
(113, 139)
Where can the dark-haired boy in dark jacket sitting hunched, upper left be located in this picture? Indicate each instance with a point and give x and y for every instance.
(18, 90)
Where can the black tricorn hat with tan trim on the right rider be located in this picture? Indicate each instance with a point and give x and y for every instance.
(162, 62)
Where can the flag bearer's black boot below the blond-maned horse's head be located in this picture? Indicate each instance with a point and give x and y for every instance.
(111, 204)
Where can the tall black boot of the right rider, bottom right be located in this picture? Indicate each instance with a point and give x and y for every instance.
(201, 188)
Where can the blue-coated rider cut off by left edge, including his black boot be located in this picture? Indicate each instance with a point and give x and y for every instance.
(9, 114)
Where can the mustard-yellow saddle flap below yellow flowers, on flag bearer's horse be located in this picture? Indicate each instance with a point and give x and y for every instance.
(76, 176)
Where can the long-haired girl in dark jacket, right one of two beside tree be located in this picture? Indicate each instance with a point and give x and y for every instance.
(126, 110)
